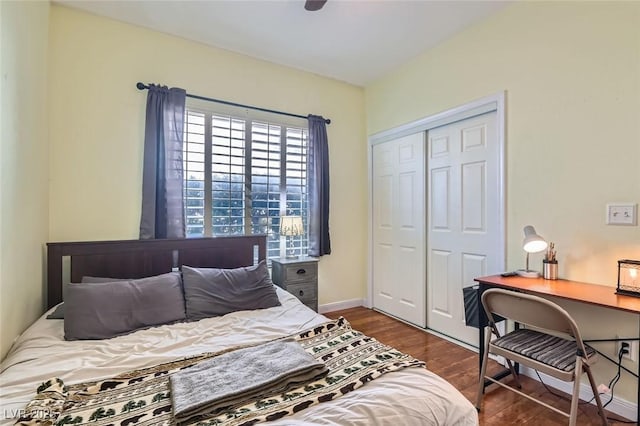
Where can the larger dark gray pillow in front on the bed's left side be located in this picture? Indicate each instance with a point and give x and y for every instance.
(105, 310)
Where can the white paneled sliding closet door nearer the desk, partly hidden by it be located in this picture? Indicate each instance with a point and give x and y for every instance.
(464, 218)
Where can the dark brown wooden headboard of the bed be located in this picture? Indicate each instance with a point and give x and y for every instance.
(145, 258)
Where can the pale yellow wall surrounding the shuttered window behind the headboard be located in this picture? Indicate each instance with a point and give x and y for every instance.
(97, 128)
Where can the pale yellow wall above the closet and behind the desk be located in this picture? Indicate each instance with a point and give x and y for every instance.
(571, 72)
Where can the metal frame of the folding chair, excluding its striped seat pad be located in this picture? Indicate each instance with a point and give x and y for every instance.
(546, 317)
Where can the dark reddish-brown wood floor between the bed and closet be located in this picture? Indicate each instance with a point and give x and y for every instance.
(460, 367)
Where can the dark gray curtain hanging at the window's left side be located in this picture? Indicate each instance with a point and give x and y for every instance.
(162, 176)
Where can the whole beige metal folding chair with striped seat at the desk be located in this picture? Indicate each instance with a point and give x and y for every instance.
(538, 346)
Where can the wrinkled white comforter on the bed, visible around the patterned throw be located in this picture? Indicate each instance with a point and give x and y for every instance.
(412, 396)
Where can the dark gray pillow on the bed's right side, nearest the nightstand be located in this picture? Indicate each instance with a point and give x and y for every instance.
(212, 292)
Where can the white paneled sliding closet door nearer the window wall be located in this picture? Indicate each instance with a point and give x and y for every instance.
(398, 219)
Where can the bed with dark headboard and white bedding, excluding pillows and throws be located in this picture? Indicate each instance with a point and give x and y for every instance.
(407, 396)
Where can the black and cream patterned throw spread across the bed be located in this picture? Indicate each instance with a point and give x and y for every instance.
(143, 396)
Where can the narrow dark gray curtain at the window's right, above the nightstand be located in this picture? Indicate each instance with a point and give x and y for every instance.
(318, 181)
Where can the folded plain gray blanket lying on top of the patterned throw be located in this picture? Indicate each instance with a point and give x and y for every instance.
(240, 376)
